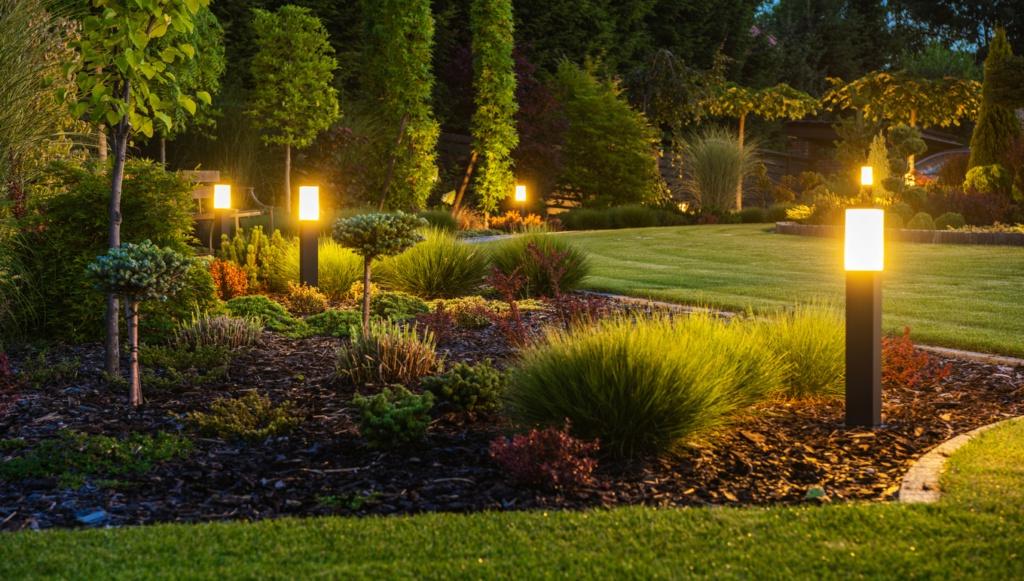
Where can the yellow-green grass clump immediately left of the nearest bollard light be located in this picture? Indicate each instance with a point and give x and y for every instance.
(812, 343)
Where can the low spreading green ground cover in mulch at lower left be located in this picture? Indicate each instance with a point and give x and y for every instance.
(73, 458)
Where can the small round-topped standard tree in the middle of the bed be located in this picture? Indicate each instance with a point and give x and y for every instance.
(375, 236)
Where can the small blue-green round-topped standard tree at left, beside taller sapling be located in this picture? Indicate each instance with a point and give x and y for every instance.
(138, 273)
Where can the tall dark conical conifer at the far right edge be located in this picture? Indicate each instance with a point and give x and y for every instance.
(998, 127)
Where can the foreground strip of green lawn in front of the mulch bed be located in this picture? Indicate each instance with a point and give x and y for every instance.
(976, 532)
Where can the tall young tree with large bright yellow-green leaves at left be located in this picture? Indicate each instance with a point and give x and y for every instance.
(124, 67)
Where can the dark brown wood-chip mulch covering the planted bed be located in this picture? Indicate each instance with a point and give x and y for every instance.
(787, 452)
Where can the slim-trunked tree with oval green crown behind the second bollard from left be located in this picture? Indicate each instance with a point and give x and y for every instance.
(293, 68)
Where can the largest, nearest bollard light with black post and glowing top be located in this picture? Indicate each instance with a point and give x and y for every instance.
(864, 260)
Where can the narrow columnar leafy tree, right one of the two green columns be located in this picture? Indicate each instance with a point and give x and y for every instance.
(495, 134)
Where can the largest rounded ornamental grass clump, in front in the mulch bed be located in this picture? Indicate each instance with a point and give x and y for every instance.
(645, 386)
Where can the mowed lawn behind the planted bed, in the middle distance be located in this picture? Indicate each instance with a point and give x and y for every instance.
(952, 296)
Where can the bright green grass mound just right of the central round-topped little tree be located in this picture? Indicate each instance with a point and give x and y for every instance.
(443, 266)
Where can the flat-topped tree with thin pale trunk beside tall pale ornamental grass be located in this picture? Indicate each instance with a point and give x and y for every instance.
(781, 102)
